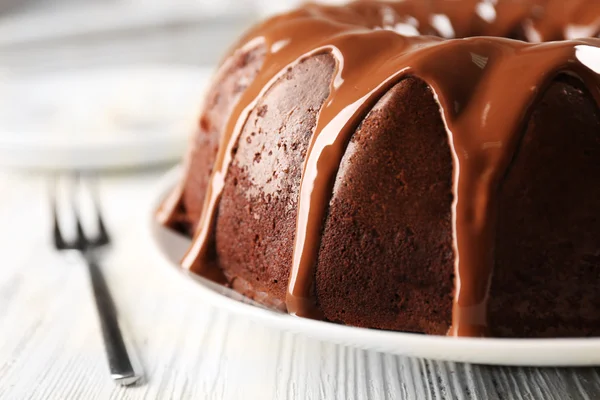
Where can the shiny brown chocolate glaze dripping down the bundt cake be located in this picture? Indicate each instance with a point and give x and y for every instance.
(485, 88)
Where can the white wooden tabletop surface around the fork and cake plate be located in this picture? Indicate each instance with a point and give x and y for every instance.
(50, 347)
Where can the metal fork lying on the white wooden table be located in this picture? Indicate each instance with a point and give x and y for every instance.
(124, 369)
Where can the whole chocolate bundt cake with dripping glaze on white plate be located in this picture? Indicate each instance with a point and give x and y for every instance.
(425, 166)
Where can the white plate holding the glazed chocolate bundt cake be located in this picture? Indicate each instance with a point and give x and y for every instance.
(169, 247)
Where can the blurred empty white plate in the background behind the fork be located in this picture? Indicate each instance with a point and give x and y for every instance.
(103, 118)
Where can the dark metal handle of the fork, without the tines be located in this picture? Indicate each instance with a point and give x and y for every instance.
(123, 368)
